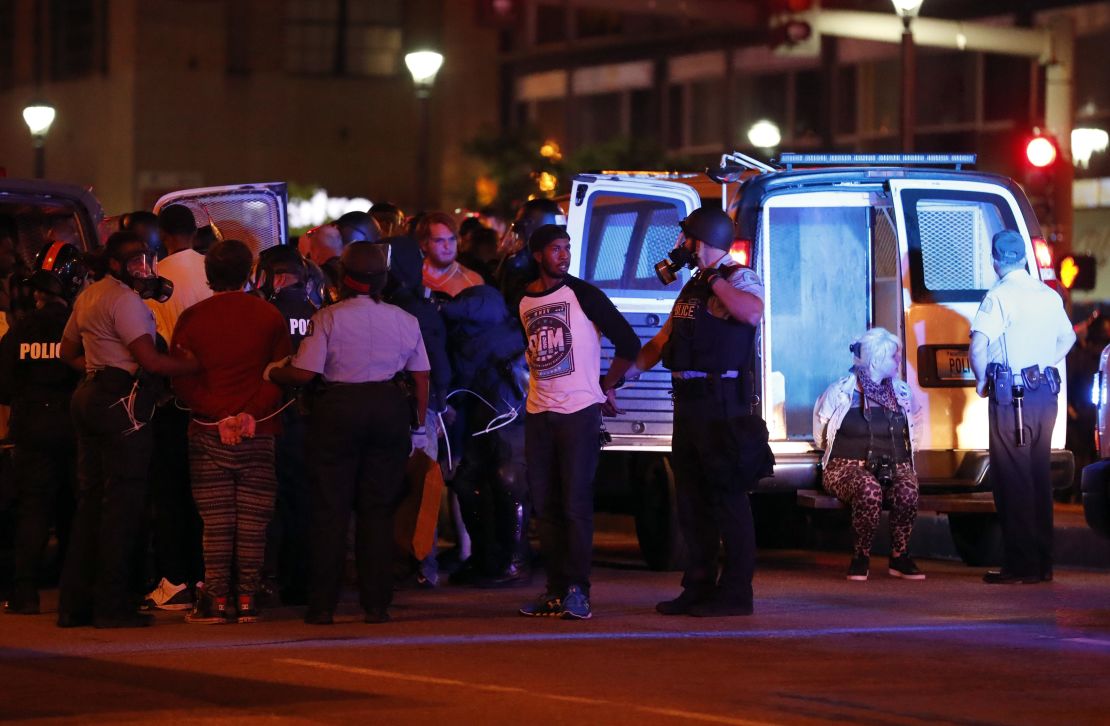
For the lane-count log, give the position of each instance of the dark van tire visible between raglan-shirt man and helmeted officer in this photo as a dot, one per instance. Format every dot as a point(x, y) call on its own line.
point(661, 540)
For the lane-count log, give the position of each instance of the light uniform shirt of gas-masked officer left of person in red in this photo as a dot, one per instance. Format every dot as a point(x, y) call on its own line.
point(107, 318)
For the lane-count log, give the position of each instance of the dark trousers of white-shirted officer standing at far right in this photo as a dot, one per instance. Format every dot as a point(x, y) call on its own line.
point(1021, 477)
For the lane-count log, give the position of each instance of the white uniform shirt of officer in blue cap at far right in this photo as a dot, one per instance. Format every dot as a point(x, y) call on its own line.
point(1030, 315)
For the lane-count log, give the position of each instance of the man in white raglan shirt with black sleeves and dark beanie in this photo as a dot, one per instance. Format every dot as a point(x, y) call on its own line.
point(564, 319)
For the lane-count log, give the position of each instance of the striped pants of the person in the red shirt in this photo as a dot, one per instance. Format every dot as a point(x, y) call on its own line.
point(235, 489)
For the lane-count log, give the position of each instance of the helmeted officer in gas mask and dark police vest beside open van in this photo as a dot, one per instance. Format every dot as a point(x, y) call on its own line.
point(720, 447)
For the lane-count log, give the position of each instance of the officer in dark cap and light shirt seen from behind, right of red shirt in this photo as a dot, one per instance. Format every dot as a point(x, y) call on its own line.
point(361, 430)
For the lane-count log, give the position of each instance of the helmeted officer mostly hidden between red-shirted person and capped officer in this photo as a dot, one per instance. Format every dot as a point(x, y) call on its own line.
point(281, 277)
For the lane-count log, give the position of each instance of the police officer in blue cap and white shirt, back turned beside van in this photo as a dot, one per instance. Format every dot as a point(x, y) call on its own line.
point(1018, 337)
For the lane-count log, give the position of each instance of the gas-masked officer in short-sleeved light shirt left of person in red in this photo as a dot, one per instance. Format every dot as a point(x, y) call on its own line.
point(110, 339)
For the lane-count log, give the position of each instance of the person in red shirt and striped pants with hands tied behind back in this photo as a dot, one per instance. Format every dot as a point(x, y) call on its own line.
point(231, 437)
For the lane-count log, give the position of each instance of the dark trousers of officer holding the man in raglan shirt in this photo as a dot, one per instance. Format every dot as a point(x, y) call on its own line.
point(714, 509)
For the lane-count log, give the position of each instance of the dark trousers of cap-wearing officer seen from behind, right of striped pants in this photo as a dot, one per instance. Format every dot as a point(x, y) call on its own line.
point(359, 445)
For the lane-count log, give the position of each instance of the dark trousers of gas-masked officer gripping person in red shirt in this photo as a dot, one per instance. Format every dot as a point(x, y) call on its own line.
point(113, 465)
